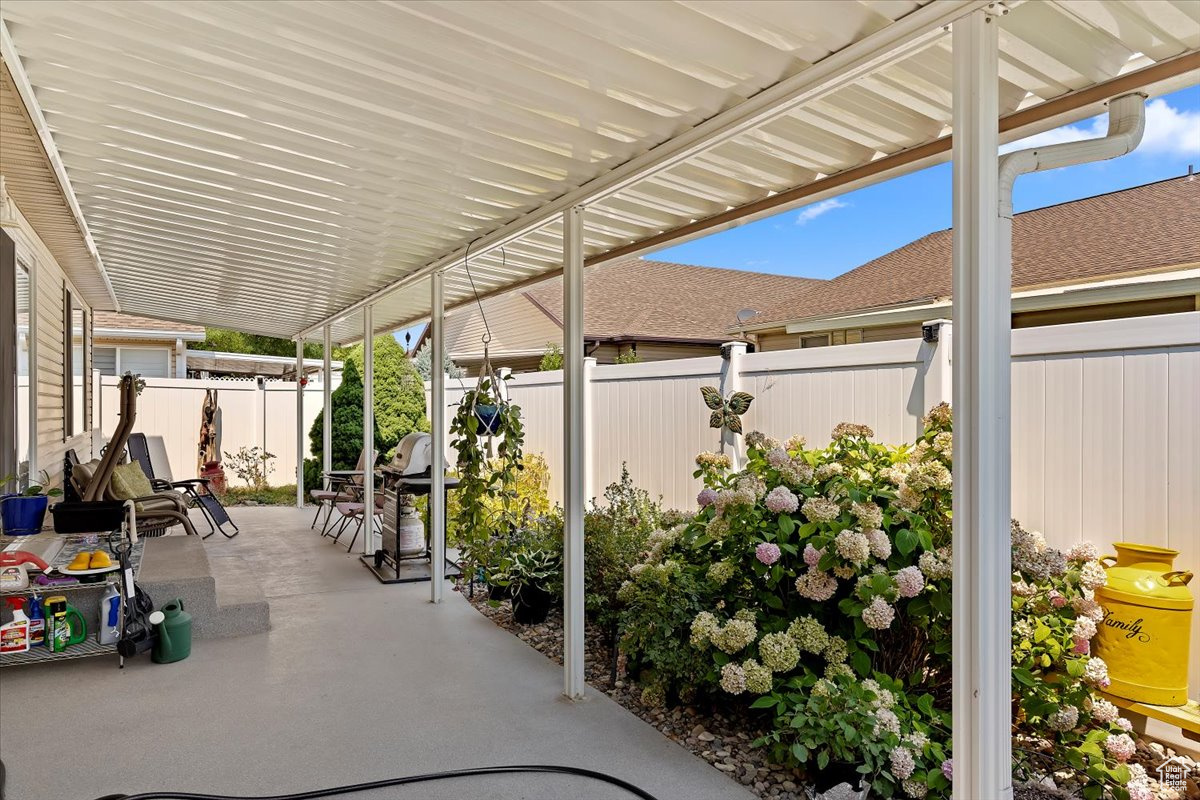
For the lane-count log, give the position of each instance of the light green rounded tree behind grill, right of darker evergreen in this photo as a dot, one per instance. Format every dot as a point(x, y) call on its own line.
point(399, 392)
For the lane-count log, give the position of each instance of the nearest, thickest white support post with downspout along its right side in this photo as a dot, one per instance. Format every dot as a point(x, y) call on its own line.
point(982, 617)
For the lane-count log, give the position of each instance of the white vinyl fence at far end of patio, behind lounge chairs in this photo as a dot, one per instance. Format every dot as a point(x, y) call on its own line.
point(248, 416)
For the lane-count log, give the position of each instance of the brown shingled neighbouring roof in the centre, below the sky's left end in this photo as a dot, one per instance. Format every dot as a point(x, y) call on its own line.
point(644, 299)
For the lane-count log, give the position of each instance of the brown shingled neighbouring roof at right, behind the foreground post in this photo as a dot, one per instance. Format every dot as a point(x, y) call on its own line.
point(1143, 230)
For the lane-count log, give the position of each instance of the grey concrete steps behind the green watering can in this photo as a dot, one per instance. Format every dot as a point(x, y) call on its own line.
point(223, 594)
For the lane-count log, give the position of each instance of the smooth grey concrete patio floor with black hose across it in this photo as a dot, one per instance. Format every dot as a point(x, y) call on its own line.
point(356, 682)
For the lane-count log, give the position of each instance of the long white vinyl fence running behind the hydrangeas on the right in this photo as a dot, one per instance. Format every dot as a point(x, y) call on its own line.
point(1106, 422)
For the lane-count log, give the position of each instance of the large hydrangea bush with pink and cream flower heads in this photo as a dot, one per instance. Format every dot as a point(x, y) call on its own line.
point(814, 586)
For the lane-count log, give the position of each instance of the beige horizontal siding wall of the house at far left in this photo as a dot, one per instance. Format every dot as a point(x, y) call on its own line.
point(51, 324)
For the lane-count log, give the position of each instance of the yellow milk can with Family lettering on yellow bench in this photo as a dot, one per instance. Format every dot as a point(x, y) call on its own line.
point(1148, 621)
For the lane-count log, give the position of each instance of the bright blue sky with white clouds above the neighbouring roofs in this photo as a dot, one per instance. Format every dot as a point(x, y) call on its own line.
point(833, 237)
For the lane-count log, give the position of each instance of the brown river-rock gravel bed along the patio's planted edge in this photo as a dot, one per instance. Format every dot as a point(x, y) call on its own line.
point(724, 741)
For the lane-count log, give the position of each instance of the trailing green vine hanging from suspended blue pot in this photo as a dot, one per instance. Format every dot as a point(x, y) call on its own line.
point(485, 419)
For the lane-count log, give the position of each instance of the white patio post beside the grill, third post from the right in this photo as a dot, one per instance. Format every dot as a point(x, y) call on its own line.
point(439, 436)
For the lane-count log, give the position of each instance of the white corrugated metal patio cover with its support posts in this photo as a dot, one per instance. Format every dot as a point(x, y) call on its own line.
point(323, 171)
